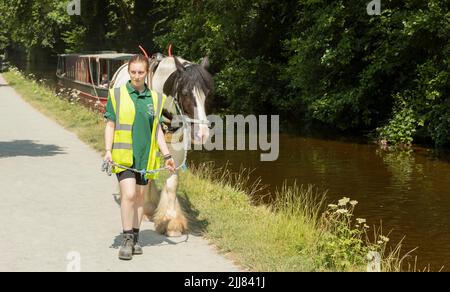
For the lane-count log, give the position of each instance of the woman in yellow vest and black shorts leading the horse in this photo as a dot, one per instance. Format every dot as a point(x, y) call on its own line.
point(133, 137)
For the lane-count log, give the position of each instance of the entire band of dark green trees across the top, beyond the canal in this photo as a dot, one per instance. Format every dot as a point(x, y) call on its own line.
point(318, 62)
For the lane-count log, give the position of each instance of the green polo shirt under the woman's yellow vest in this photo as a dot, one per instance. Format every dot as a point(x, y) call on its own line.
point(142, 127)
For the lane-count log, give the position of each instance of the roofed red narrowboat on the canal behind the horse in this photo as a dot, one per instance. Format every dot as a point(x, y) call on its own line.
point(90, 75)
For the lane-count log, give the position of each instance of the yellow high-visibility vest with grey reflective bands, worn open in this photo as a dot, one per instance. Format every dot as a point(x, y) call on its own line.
point(122, 152)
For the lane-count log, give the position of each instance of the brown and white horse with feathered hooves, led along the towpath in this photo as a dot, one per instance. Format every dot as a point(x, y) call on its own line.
point(187, 86)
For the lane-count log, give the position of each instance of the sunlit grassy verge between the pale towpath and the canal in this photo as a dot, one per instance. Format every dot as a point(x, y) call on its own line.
point(257, 238)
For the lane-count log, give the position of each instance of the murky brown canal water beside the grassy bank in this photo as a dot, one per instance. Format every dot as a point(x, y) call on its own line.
point(408, 192)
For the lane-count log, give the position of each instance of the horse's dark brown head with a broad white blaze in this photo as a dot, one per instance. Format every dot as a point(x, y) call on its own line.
point(192, 86)
